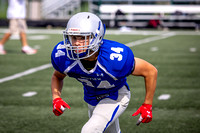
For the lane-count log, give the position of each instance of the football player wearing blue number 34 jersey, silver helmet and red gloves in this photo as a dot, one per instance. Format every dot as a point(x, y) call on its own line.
point(102, 67)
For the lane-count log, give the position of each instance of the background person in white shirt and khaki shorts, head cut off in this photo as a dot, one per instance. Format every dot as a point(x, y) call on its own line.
point(16, 14)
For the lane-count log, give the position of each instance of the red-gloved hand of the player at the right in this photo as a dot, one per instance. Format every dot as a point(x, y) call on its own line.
point(146, 113)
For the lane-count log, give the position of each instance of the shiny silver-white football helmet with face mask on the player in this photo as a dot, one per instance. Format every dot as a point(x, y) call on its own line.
point(86, 25)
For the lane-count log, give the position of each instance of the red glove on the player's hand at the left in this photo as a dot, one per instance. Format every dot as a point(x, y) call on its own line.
point(59, 106)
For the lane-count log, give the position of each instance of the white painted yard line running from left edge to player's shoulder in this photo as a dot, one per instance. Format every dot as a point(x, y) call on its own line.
point(27, 72)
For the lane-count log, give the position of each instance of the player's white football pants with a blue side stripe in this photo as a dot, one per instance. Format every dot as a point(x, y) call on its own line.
point(104, 117)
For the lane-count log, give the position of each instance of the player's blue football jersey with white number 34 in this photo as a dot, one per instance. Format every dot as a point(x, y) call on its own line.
point(114, 63)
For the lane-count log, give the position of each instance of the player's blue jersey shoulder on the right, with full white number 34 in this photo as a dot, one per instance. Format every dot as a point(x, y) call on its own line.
point(117, 58)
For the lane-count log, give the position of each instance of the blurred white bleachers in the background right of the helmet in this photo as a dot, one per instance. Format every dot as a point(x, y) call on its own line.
point(138, 13)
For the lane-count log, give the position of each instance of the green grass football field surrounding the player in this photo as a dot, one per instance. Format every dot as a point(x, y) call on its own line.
point(177, 59)
